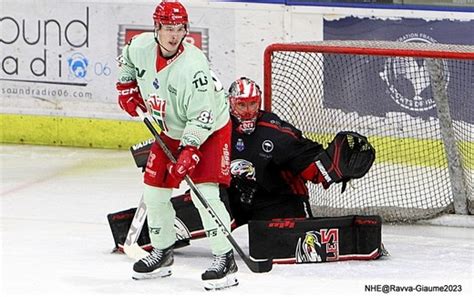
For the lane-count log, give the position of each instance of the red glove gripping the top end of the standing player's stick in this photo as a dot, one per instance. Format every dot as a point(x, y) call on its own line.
point(129, 97)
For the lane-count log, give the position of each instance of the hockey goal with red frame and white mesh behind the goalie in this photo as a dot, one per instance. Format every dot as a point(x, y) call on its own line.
point(414, 101)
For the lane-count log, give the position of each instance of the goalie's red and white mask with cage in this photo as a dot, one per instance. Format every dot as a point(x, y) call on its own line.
point(245, 100)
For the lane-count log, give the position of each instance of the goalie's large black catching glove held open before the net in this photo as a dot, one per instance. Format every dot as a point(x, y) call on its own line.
point(348, 156)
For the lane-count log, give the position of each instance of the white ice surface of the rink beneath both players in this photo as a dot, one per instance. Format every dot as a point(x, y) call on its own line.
point(55, 240)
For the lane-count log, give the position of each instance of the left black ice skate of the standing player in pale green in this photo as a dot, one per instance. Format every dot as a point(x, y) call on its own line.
point(156, 264)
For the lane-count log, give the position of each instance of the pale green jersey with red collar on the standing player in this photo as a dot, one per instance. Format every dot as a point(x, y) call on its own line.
point(178, 92)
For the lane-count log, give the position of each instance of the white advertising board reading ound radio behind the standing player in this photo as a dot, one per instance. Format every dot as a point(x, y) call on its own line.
point(61, 59)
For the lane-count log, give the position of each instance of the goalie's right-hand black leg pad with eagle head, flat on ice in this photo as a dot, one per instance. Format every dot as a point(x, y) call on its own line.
point(312, 240)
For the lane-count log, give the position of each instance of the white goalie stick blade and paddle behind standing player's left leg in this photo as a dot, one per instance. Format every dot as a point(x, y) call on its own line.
point(131, 247)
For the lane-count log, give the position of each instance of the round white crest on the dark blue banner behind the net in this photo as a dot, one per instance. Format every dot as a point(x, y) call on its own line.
point(408, 79)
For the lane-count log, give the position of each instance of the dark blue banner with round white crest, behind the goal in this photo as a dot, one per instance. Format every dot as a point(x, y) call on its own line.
point(396, 84)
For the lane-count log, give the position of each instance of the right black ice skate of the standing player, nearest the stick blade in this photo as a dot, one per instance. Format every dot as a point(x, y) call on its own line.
point(221, 274)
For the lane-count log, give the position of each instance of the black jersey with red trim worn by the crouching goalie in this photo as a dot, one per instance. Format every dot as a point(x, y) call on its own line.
point(266, 166)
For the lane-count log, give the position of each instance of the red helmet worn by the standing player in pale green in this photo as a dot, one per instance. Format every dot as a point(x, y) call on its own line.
point(170, 13)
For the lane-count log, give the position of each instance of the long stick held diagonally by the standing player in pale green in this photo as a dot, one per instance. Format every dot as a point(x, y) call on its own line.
point(255, 266)
